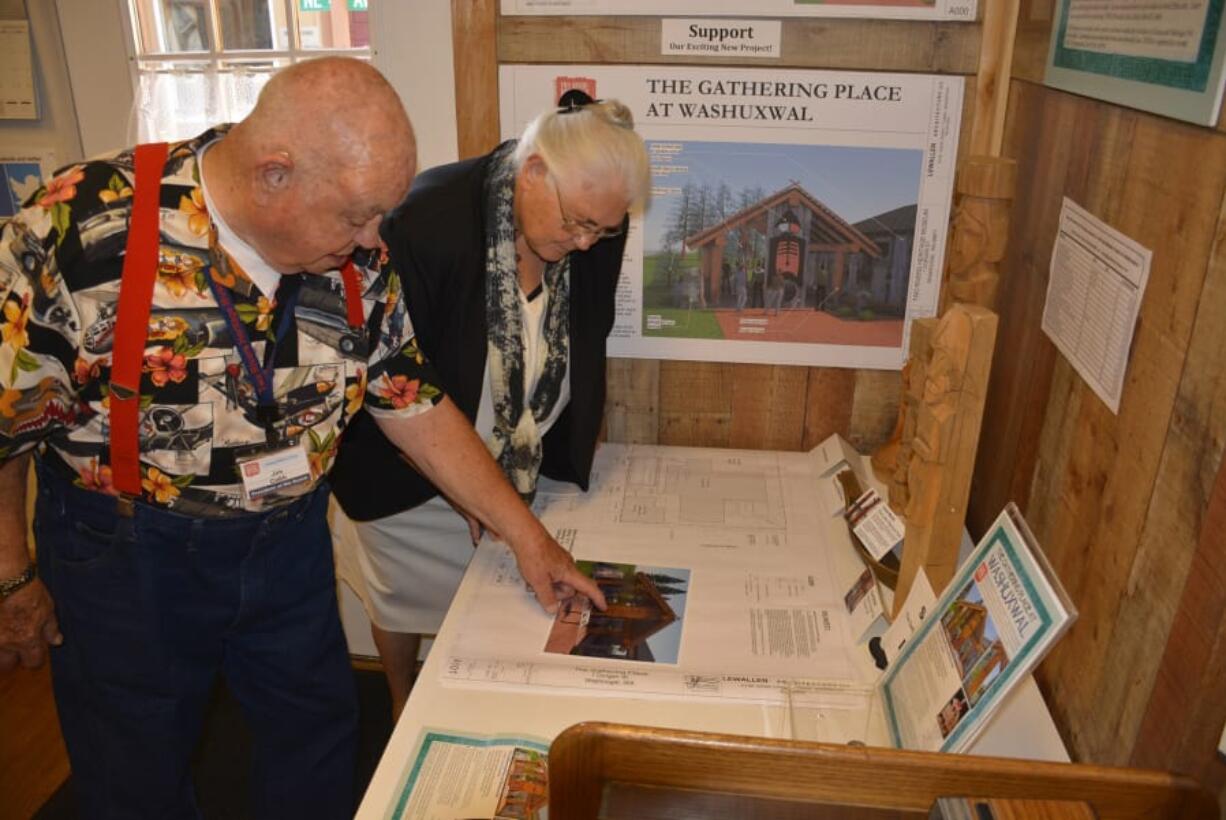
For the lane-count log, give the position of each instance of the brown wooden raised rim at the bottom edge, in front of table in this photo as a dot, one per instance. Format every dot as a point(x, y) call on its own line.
point(588, 757)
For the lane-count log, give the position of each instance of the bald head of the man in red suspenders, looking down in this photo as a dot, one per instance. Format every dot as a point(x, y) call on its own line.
point(328, 148)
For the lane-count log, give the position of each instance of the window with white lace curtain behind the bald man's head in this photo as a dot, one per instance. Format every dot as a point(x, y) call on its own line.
point(199, 63)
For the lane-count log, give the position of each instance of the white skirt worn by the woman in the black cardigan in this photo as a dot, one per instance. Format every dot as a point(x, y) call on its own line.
point(405, 568)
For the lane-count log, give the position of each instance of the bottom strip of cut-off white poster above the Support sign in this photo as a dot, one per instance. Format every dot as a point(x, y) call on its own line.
point(963, 10)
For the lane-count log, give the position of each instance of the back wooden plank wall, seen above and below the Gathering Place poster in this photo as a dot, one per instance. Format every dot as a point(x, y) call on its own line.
point(712, 404)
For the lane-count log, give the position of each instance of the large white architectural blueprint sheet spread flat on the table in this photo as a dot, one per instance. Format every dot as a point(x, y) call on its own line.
point(725, 580)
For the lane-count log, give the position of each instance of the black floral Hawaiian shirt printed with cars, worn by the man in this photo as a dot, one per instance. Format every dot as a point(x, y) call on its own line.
point(61, 262)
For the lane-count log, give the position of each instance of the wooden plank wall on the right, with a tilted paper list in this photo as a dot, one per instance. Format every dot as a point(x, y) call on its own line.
point(1131, 508)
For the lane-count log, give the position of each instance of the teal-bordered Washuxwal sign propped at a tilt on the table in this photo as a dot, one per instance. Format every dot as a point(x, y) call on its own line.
point(991, 627)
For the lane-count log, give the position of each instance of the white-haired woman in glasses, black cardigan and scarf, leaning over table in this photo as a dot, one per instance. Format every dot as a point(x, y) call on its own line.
point(509, 265)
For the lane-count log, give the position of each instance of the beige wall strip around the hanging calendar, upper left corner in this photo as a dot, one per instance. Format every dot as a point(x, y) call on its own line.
point(56, 132)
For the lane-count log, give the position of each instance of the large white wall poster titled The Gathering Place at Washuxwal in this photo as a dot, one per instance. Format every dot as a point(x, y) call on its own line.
point(796, 218)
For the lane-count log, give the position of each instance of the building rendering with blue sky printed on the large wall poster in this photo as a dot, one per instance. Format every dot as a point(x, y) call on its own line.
point(780, 243)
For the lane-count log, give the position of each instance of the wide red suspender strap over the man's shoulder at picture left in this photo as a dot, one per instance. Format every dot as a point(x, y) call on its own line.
point(133, 318)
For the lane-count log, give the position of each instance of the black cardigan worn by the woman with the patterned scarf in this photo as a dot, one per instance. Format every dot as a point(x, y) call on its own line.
point(437, 240)
